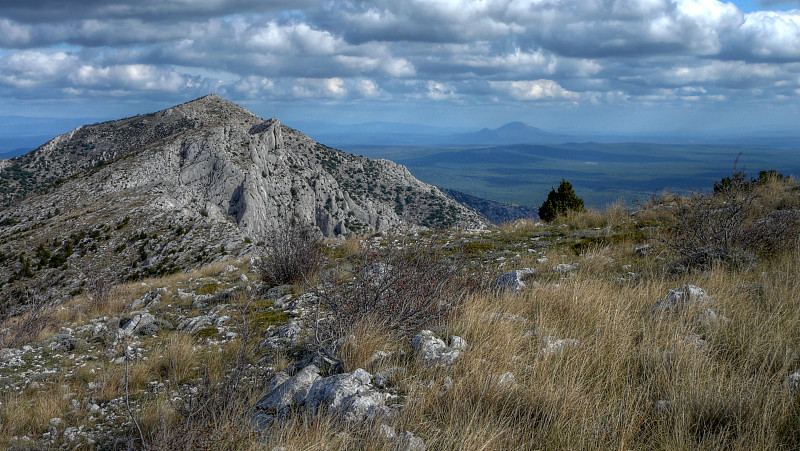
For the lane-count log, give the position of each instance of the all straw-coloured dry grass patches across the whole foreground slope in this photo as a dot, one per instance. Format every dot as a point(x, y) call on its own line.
point(601, 394)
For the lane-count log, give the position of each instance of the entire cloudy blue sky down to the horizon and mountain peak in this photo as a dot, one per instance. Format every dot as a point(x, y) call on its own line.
point(616, 66)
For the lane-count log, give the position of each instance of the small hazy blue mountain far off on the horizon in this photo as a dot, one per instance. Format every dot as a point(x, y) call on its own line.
point(511, 133)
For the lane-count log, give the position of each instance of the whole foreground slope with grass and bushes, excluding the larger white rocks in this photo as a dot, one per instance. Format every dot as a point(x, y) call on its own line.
point(577, 358)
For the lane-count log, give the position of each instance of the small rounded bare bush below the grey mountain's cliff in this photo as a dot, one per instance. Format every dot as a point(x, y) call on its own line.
point(293, 253)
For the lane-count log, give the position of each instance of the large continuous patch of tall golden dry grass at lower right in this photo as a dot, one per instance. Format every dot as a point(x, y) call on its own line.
point(602, 394)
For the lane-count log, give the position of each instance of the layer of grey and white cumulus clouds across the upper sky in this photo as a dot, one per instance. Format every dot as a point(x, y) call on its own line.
point(593, 51)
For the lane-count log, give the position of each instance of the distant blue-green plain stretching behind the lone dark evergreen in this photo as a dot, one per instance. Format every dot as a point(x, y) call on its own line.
point(602, 173)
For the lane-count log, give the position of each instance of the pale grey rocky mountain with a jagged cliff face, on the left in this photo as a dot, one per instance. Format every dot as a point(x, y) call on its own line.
point(167, 191)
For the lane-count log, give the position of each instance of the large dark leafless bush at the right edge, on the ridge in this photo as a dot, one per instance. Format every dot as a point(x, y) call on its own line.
point(730, 226)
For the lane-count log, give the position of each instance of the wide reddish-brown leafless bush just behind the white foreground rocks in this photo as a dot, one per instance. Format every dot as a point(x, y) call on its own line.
point(397, 289)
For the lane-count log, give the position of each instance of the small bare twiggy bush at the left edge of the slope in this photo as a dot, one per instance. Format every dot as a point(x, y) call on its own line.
point(35, 315)
